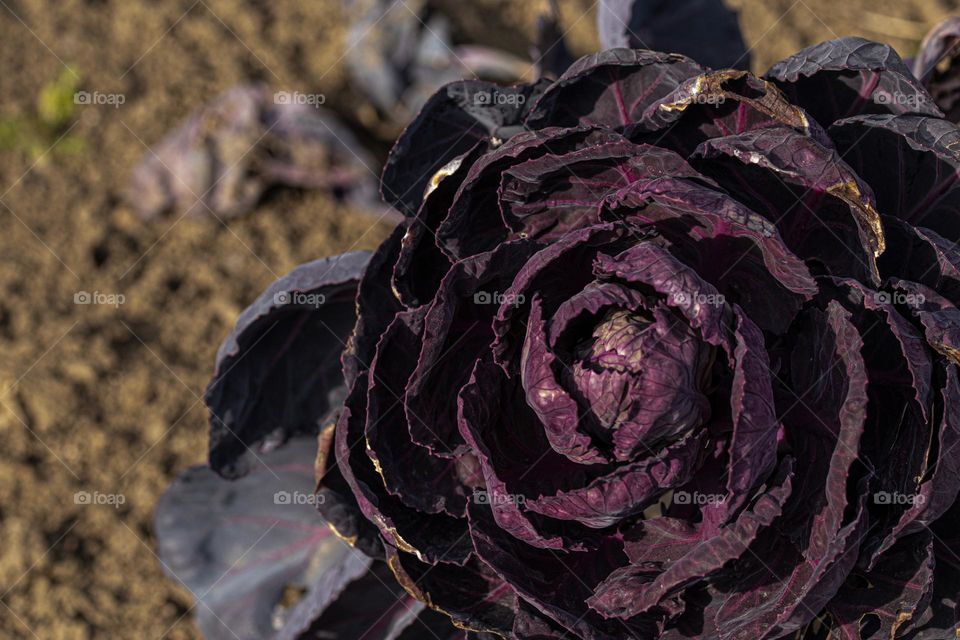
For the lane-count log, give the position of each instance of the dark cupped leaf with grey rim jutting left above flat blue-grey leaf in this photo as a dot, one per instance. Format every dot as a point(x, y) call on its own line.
point(278, 372)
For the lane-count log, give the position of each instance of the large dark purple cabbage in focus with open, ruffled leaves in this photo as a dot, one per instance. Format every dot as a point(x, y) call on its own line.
point(658, 351)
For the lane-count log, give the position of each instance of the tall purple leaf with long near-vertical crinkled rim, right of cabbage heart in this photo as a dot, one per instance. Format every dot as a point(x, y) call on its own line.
point(810, 563)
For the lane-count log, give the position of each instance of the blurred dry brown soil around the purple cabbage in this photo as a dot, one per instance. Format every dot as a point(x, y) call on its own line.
point(102, 399)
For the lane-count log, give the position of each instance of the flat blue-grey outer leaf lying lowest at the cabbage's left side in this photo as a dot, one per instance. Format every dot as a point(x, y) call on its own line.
point(237, 545)
